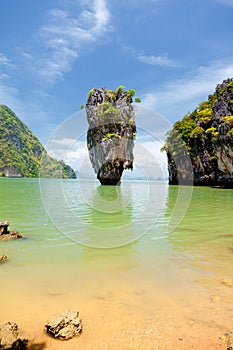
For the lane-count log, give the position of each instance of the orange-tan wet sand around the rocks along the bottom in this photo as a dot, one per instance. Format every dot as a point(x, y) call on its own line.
point(128, 316)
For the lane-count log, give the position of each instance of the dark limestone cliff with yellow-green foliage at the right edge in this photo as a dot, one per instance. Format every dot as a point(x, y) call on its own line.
point(207, 135)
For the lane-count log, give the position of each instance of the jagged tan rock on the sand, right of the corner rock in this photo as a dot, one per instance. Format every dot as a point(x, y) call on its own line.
point(65, 326)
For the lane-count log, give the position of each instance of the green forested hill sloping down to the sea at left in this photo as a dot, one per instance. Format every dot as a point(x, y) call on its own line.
point(21, 153)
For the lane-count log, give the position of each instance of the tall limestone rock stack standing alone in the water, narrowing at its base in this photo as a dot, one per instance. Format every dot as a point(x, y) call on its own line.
point(111, 133)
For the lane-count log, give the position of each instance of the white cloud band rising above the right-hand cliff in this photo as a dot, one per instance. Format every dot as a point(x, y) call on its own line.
point(186, 92)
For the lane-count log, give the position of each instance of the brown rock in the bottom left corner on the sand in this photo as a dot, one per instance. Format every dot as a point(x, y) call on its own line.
point(10, 338)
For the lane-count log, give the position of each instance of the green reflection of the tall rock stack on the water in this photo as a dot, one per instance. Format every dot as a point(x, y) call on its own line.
point(108, 218)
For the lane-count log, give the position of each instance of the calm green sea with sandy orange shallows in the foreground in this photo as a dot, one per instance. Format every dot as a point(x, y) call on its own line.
point(139, 249)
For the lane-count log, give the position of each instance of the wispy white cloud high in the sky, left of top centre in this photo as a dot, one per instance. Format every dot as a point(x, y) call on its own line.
point(66, 35)
